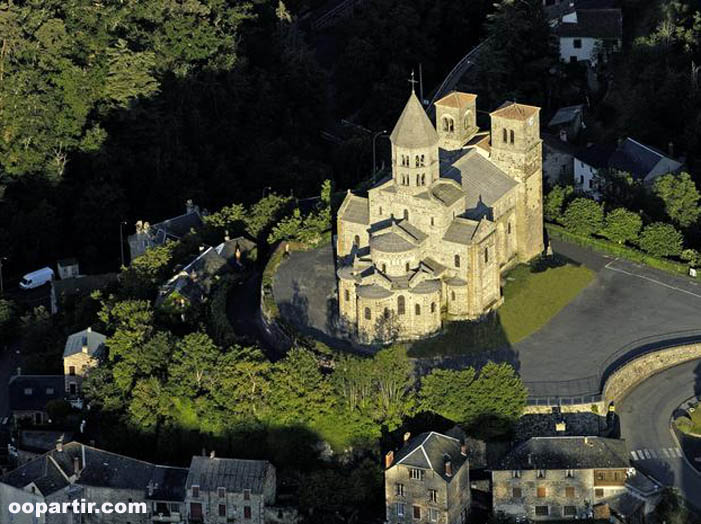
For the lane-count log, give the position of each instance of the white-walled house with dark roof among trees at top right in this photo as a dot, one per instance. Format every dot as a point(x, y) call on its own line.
point(589, 34)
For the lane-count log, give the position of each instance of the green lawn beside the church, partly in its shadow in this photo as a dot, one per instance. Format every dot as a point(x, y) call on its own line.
point(531, 298)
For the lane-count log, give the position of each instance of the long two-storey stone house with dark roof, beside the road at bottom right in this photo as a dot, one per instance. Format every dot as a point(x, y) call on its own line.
point(561, 477)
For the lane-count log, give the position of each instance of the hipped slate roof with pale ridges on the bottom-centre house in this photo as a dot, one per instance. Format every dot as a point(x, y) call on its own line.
point(429, 451)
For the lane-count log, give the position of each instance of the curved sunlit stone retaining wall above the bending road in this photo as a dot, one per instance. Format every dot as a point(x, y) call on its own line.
point(628, 376)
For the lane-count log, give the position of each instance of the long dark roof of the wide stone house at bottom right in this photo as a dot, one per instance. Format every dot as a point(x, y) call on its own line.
point(567, 453)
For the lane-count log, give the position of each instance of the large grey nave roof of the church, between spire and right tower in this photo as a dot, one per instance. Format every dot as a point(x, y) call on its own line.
point(481, 180)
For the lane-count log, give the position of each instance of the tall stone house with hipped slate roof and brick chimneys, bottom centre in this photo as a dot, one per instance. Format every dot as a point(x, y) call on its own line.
point(428, 480)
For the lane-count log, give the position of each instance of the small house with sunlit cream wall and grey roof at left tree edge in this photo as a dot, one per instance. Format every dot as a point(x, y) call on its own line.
point(81, 353)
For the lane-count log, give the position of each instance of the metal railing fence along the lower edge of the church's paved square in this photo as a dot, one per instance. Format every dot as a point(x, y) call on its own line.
point(589, 389)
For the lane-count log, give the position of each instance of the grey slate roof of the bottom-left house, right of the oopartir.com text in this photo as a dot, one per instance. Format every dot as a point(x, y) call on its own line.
point(233, 474)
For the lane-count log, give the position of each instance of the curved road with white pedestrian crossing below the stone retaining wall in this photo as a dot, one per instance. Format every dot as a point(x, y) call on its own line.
point(645, 414)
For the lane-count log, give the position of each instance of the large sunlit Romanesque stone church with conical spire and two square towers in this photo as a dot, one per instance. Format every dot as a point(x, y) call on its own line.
point(431, 242)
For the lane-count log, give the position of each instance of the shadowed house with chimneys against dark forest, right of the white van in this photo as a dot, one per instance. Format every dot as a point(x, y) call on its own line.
point(151, 235)
